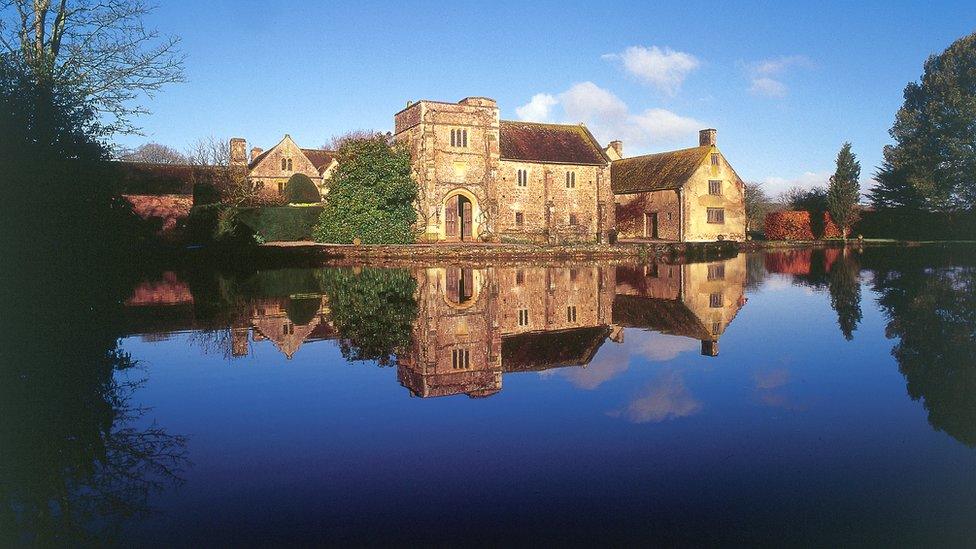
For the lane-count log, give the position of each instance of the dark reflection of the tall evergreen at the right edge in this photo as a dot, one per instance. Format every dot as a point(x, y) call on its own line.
point(931, 309)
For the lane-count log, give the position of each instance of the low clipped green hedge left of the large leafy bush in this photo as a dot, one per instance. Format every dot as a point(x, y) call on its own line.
point(218, 223)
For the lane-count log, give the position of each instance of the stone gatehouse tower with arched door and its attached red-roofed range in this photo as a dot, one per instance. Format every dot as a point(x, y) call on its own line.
point(482, 178)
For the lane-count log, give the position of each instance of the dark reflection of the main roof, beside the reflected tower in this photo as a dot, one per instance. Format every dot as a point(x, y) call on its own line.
point(535, 351)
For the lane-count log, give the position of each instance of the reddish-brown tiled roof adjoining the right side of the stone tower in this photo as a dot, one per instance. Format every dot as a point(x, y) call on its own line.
point(562, 143)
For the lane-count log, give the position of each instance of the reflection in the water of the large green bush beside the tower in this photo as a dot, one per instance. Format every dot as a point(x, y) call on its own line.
point(372, 309)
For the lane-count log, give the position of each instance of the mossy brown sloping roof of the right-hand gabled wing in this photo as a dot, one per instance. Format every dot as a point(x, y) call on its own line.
point(656, 172)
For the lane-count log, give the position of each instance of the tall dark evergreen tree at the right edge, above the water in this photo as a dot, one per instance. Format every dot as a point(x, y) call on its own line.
point(932, 162)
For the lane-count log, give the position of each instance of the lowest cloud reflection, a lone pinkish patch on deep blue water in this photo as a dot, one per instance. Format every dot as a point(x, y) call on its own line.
point(667, 397)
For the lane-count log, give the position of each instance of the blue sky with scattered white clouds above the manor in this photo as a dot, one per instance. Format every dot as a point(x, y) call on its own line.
point(784, 85)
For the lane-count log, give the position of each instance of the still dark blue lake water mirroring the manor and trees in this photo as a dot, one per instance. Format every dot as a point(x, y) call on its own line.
point(790, 398)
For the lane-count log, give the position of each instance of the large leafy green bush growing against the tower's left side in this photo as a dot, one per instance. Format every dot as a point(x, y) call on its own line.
point(371, 195)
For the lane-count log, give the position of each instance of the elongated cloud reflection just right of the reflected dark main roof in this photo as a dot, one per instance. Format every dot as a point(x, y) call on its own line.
point(614, 360)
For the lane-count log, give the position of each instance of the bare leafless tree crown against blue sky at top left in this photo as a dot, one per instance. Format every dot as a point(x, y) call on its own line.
point(98, 49)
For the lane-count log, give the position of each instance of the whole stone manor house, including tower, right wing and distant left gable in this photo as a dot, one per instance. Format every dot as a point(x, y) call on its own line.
point(483, 178)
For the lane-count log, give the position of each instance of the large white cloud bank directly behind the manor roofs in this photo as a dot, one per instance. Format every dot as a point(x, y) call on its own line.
point(608, 117)
